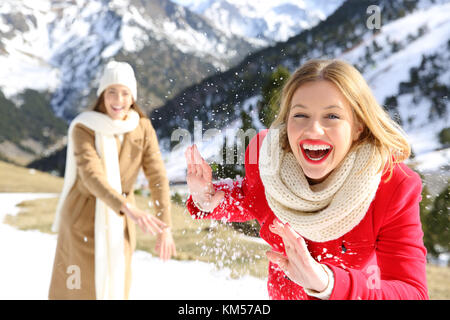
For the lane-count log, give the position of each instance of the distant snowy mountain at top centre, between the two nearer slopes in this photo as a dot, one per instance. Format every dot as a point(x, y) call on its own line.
point(263, 21)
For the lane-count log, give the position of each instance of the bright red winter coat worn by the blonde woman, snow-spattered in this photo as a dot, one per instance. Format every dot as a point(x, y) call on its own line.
point(383, 257)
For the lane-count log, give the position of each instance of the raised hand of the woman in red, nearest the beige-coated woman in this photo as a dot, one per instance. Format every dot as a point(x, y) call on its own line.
point(199, 180)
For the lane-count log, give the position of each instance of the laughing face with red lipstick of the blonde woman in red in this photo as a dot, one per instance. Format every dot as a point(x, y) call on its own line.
point(320, 118)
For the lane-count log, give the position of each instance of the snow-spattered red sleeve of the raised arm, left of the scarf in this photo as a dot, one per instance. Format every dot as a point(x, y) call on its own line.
point(241, 195)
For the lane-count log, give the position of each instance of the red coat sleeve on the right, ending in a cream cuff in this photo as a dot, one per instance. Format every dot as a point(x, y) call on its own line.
point(401, 254)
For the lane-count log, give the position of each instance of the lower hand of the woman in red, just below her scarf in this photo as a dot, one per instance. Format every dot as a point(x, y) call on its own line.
point(298, 264)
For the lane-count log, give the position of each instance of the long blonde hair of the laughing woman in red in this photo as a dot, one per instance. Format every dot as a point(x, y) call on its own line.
point(380, 130)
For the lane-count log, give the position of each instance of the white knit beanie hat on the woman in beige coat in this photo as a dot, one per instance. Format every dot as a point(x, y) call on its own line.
point(118, 73)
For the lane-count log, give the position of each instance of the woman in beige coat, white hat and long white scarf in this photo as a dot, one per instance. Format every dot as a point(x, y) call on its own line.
point(74, 272)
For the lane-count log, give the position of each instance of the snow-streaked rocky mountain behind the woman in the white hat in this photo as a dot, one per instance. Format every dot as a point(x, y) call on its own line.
point(61, 46)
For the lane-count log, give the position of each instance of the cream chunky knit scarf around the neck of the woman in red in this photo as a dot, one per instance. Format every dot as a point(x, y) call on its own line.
point(324, 211)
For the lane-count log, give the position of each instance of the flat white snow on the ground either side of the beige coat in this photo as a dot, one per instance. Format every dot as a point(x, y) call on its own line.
point(27, 261)
